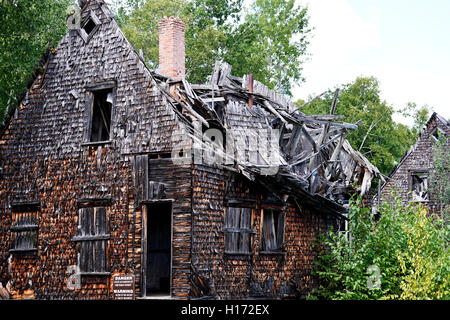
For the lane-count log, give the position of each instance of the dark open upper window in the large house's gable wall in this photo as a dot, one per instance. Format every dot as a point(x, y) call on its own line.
point(101, 115)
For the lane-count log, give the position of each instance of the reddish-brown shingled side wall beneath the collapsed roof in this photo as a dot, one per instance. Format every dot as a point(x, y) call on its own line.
point(257, 274)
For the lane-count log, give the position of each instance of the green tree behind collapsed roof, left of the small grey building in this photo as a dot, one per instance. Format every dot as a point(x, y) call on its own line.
point(382, 140)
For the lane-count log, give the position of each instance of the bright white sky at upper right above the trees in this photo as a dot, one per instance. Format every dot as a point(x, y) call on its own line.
point(405, 44)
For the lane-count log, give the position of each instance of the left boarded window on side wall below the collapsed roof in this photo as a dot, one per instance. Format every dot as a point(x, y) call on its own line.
point(237, 230)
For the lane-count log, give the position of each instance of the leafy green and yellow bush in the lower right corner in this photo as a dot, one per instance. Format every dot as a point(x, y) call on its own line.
point(407, 247)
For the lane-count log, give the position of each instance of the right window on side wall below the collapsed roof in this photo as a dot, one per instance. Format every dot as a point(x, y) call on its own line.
point(272, 230)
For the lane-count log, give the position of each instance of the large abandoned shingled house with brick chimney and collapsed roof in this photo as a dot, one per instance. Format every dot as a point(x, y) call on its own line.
point(193, 190)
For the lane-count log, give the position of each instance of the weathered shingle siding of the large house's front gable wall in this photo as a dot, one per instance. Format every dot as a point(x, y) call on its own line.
point(42, 158)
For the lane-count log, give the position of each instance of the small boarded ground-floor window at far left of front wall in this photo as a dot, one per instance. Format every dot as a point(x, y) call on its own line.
point(24, 231)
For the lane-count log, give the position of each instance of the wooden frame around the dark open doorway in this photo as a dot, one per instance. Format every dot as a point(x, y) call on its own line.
point(145, 210)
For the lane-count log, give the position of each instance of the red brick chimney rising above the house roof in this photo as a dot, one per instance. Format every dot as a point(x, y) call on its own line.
point(171, 47)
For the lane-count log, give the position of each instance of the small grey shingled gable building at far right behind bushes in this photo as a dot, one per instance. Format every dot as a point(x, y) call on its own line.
point(410, 178)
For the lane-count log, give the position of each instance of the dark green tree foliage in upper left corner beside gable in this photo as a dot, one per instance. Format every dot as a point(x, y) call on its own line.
point(27, 28)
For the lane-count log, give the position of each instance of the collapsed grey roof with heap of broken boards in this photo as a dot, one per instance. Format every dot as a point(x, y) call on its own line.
point(312, 161)
